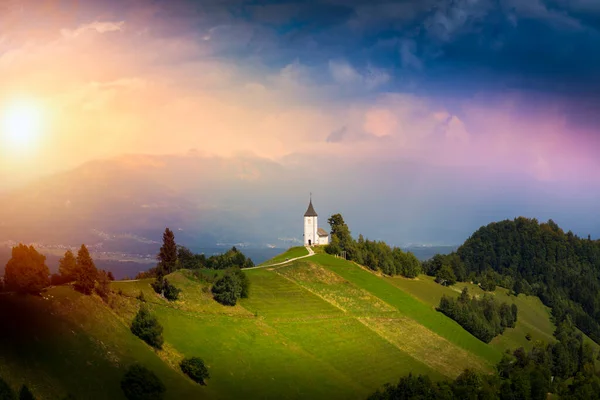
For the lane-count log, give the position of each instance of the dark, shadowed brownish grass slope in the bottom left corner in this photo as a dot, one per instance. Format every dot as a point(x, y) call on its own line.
point(67, 343)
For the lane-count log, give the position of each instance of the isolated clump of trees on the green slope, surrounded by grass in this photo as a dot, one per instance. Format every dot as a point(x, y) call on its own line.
point(484, 318)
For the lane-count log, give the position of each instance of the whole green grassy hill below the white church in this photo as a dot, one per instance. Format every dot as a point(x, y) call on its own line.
point(319, 327)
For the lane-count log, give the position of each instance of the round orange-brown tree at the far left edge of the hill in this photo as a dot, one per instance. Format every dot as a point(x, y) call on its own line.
point(26, 271)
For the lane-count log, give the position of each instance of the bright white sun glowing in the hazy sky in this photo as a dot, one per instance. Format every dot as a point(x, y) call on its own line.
point(20, 127)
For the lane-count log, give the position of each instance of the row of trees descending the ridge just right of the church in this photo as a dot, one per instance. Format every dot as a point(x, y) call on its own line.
point(376, 255)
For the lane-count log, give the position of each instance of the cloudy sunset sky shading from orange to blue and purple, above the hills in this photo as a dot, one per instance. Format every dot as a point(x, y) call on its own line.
point(492, 106)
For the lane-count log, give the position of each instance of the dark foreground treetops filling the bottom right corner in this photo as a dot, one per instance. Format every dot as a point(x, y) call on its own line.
point(566, 368)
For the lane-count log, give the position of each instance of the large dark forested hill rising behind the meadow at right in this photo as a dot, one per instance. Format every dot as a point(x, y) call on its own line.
point(533, 258)
